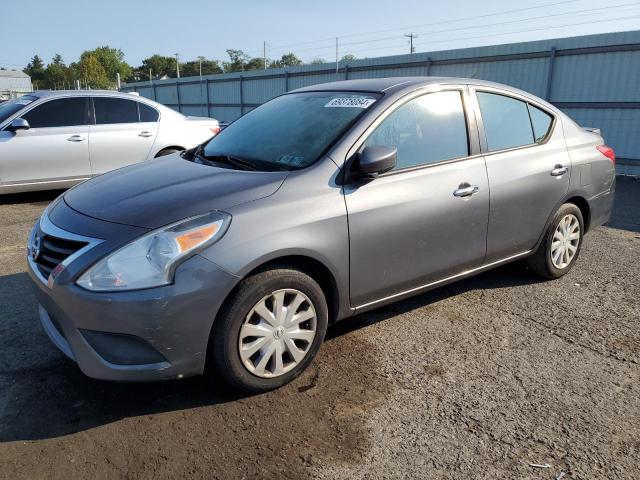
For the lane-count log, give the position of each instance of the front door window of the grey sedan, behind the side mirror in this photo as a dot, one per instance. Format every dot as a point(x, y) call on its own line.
point(427, 129)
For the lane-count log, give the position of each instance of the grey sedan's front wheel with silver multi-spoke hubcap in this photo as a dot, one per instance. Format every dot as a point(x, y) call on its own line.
point(233, 341)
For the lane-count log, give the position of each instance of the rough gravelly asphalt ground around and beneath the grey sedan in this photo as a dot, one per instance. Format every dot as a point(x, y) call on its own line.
point(479, 379)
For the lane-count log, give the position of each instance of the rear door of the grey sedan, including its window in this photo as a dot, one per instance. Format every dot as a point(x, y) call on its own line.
point(528, 168)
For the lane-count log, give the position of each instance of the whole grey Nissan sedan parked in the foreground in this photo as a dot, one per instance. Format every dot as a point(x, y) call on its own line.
point(324, 202)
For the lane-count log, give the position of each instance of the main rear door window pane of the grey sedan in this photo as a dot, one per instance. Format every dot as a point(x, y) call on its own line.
point(506, 121)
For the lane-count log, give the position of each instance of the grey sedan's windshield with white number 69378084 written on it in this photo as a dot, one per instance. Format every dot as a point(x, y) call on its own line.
point(289, 132)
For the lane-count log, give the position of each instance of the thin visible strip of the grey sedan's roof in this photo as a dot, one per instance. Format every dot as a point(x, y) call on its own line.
point(380, 85)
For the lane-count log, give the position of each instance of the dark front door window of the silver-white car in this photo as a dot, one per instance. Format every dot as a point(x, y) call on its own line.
point(61, 112)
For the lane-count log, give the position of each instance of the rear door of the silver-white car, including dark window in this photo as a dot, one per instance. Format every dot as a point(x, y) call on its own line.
point(119, 137)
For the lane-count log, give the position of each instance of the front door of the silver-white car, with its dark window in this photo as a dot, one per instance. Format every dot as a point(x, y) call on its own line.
point(54, 149)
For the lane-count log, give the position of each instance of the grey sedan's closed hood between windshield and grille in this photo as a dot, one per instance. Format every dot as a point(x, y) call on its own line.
point(161, 191)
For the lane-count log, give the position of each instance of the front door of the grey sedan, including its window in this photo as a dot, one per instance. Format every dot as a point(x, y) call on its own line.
point(426, 219)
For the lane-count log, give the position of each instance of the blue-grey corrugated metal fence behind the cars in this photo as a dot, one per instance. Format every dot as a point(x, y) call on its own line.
point(594, 78)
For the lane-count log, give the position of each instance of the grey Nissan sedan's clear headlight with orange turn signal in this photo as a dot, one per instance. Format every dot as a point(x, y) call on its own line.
point(151, 260)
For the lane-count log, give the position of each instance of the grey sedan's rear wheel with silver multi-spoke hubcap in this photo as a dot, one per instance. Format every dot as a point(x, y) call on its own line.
point(548, 261)
